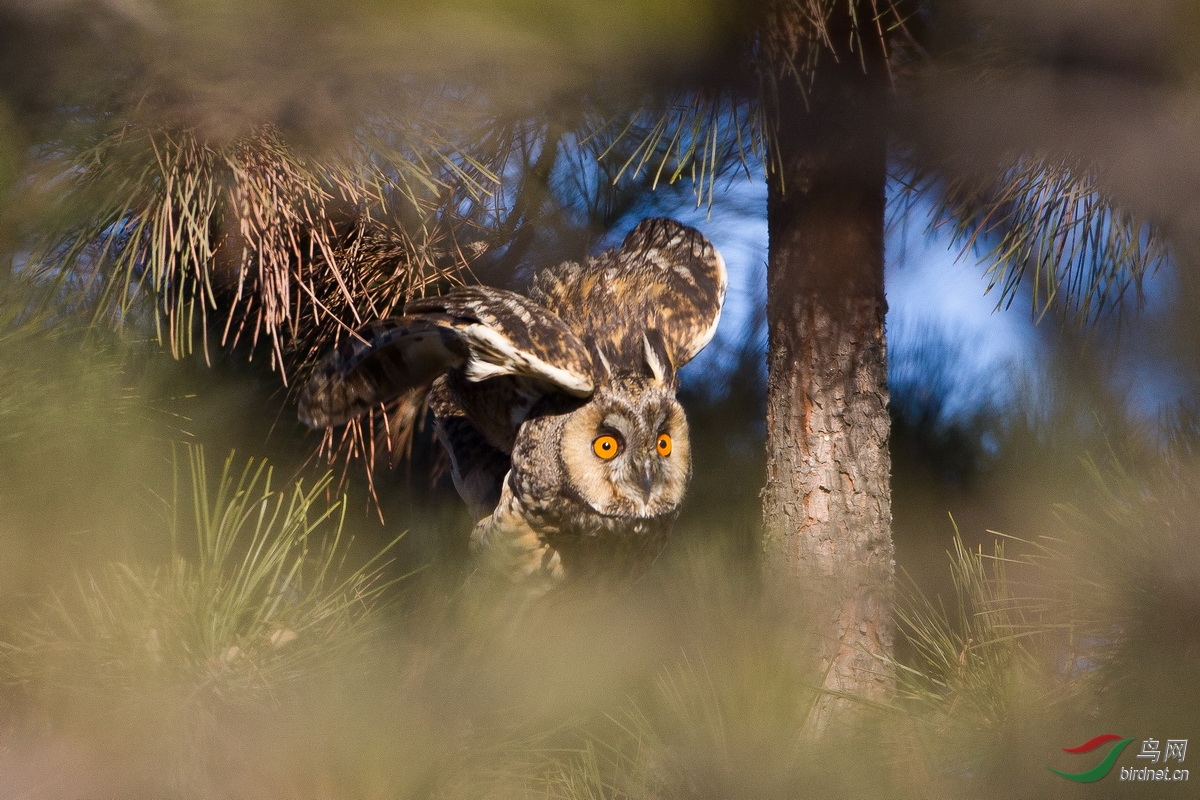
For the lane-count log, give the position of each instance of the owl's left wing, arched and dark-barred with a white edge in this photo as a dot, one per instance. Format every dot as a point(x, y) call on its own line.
point(481, 332)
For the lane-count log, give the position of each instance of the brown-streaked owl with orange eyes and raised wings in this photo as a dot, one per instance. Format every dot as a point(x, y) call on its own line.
point(557, 407)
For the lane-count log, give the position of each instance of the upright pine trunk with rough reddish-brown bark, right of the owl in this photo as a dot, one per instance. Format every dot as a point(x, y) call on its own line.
point(827, 504)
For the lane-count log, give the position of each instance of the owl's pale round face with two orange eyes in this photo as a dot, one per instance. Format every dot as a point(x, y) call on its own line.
point(626, 453)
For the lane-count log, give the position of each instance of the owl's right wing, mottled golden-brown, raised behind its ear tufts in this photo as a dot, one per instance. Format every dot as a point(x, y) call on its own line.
point(665, 278)
